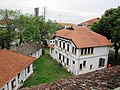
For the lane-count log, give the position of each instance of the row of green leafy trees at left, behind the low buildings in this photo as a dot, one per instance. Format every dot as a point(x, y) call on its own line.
point(18, 27)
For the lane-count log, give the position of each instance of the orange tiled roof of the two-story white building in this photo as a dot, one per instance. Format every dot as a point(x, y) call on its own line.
point(83, 37)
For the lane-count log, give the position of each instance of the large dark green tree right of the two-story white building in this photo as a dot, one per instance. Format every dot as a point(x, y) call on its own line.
point(109, 26)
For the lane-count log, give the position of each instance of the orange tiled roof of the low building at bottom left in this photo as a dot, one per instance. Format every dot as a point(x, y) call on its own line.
point(12, 63)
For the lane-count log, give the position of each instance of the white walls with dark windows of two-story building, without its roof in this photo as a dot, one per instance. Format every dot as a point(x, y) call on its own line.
point(79, 60)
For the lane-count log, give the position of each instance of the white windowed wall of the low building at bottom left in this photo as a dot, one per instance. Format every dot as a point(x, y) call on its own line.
point(19, 79)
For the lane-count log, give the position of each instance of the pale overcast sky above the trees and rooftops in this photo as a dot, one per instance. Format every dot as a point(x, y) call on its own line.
point(72, 11)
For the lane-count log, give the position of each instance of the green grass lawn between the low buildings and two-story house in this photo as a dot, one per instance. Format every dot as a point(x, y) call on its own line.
point(46, 70)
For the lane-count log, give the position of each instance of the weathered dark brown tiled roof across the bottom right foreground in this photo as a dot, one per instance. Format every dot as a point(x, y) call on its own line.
point(103, 79)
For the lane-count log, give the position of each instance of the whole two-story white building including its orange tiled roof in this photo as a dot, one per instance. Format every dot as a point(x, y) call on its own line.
point(80, 50)
